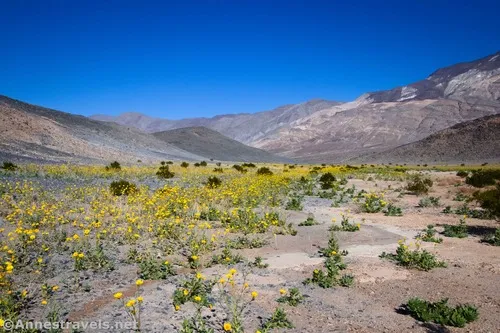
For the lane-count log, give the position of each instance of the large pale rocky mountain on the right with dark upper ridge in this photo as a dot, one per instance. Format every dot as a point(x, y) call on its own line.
point(381, 120)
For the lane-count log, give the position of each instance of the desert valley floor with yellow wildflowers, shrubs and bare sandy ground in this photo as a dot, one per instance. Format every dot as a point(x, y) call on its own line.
point(211, 247)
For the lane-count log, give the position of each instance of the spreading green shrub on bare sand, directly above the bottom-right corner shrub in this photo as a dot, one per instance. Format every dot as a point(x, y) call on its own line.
point(418, 259)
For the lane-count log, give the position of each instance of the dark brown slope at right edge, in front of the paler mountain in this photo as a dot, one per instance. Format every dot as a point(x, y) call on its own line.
point(477, 140)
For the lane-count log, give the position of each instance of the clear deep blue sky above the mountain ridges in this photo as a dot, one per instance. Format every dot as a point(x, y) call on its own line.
point(178, 59)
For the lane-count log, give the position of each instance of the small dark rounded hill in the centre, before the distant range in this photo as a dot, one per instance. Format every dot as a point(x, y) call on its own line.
point(206, 142)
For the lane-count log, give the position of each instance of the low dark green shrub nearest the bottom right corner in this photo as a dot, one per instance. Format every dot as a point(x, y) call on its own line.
point(441, 313)
